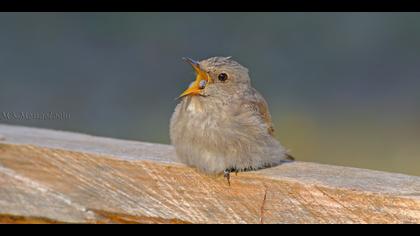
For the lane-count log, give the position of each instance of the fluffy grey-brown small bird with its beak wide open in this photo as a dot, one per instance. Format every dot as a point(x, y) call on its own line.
point(222, 124)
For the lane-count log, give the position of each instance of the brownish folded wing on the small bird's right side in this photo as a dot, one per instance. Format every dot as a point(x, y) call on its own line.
point(257, 104)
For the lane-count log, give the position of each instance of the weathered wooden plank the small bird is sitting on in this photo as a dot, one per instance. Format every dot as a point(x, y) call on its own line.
point(52, 177)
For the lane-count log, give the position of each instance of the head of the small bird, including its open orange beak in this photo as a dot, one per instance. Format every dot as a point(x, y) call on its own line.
point(216, 75)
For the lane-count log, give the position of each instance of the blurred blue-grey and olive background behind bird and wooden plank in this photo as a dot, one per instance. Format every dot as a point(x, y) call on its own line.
point(343, 88)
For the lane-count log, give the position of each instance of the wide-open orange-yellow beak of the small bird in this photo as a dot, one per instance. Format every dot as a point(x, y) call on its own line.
point(201, 79)
